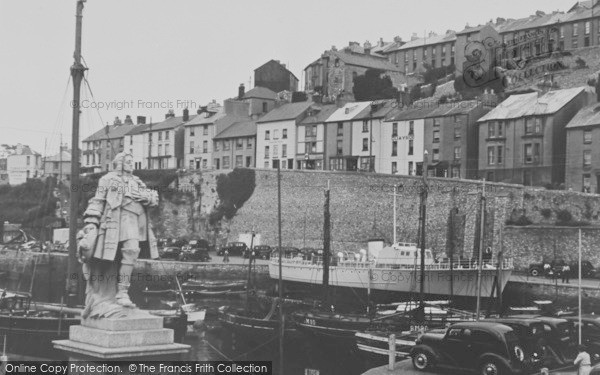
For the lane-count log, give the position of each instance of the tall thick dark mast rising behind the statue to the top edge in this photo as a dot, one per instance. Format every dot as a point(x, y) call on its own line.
point(77, 70)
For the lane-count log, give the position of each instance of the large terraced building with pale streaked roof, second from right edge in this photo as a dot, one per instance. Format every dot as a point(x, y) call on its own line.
point(523, 139)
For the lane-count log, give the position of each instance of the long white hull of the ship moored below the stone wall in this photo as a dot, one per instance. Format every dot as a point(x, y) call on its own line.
point(458, 282)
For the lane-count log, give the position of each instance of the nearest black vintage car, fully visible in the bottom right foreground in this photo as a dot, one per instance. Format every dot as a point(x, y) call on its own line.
point(484, 347)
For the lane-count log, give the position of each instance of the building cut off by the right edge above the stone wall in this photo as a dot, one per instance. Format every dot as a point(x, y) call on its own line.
point(583, 151)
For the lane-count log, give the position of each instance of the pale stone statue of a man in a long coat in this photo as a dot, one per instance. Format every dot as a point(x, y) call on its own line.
point(118, 213)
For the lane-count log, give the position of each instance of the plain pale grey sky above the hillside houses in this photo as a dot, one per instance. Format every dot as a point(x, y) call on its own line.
point(188, 51)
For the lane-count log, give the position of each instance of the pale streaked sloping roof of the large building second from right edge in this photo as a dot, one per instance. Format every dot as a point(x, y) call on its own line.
point(529, 104)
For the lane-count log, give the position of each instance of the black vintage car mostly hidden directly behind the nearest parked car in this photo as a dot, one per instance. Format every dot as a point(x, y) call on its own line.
point(532, 336)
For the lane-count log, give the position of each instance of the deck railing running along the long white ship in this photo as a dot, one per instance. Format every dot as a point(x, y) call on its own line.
point(506, 264)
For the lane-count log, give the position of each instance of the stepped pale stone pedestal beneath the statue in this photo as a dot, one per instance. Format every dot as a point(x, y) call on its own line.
point(136, 338)
